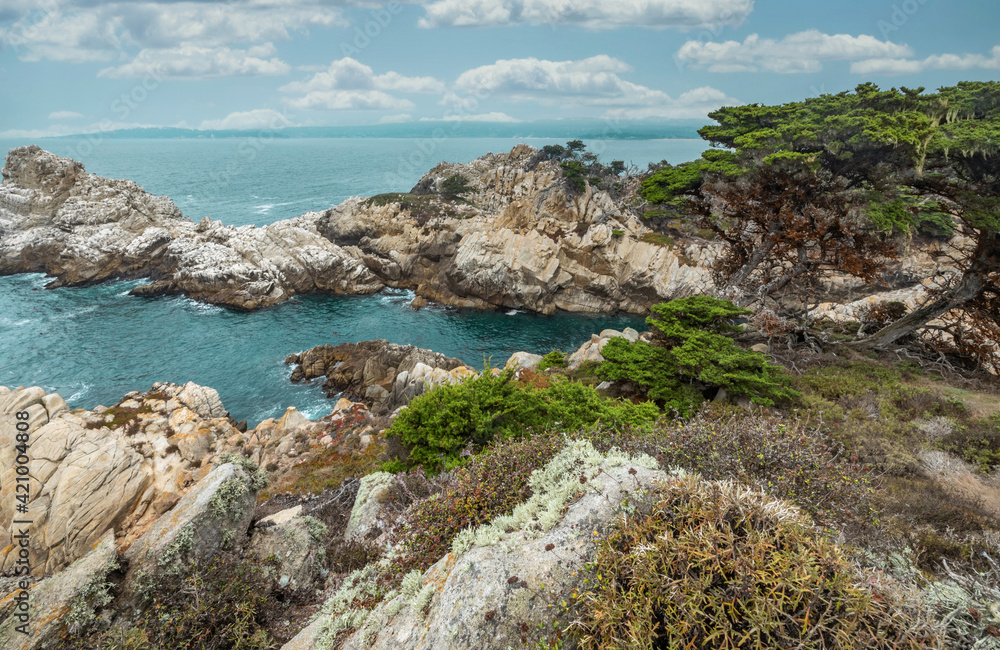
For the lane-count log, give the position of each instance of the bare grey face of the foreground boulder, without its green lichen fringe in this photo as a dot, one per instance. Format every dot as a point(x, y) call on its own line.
point(504, 577)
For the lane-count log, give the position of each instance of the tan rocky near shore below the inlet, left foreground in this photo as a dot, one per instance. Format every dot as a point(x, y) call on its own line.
point(135, 480)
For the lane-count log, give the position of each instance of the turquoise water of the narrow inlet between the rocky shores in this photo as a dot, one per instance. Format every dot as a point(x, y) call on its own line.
point(93, 345)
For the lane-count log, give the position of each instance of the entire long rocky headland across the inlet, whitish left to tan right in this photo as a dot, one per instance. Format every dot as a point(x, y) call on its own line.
point(522, 240)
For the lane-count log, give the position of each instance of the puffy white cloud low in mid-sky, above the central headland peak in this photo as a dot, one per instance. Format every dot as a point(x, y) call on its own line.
point(594, 81)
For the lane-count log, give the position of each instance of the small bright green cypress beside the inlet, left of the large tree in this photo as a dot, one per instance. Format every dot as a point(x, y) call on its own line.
point(691, 355)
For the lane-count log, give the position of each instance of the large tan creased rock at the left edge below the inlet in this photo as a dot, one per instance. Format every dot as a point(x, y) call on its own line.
point(93, 473)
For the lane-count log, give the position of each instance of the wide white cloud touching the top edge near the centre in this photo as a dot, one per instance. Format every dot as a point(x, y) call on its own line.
point(594, 14)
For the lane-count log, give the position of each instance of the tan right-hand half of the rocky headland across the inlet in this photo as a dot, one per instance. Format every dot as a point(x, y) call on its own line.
point(526, 242)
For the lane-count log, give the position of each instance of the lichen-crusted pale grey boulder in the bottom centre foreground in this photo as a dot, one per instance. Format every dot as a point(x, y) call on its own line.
point(500, 578)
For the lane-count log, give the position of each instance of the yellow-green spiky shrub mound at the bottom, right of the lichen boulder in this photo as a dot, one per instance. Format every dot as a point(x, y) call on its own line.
point(713, 565)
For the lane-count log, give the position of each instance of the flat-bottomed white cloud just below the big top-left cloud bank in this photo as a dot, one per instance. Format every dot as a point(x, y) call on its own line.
point(192, 62)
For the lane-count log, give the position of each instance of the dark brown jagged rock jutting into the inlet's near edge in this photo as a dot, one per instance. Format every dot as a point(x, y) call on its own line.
point(383, 375)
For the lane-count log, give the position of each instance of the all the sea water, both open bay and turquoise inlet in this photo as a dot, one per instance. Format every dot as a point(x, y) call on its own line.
point(95, 344)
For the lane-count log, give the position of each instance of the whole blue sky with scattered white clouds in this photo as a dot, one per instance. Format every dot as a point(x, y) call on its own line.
point(71, 66)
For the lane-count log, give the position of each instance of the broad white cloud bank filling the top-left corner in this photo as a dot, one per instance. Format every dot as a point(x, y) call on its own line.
point(92, 31)
